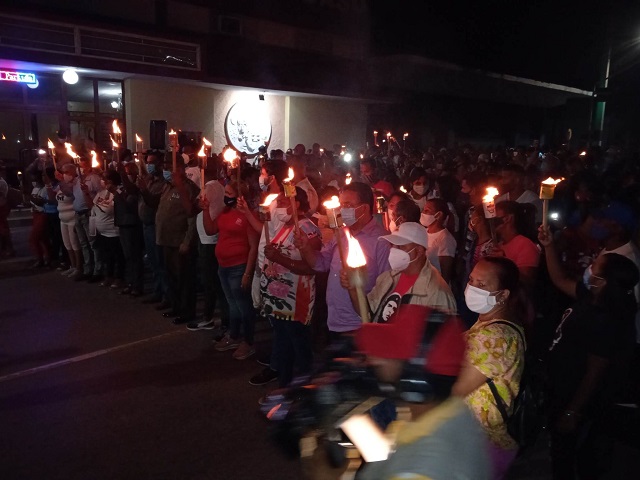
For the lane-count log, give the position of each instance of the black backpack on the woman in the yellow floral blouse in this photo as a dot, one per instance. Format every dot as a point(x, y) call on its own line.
point(528, 417)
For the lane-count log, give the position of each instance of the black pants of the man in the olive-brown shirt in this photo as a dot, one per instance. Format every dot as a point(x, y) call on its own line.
point(180, 271)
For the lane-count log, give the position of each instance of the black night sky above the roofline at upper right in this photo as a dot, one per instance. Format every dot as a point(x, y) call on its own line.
point(561, 41)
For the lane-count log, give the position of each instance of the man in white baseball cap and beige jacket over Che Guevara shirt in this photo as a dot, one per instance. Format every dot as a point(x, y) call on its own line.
point(411, 280)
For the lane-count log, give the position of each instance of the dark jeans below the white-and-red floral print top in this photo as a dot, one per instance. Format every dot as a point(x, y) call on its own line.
point(293, 345)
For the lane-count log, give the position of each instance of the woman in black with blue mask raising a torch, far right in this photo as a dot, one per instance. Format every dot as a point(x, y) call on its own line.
point(589, 360)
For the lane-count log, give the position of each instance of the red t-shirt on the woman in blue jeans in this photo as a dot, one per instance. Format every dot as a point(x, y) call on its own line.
point(233, 238)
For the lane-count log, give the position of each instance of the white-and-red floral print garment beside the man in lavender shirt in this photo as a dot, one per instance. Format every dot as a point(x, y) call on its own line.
point(286, 295)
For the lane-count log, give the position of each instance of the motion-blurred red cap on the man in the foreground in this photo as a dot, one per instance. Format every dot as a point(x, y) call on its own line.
point(402, 337)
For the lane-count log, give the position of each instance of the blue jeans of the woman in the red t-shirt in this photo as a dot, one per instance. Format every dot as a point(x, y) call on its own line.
point(241, 313)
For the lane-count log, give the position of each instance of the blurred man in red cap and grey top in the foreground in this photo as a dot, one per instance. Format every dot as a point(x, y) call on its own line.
point(420, 353)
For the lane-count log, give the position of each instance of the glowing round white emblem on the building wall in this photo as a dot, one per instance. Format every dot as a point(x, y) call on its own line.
point(248, 126)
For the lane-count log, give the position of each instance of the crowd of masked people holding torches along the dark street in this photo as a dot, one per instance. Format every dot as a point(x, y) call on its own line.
point(566, 290)
